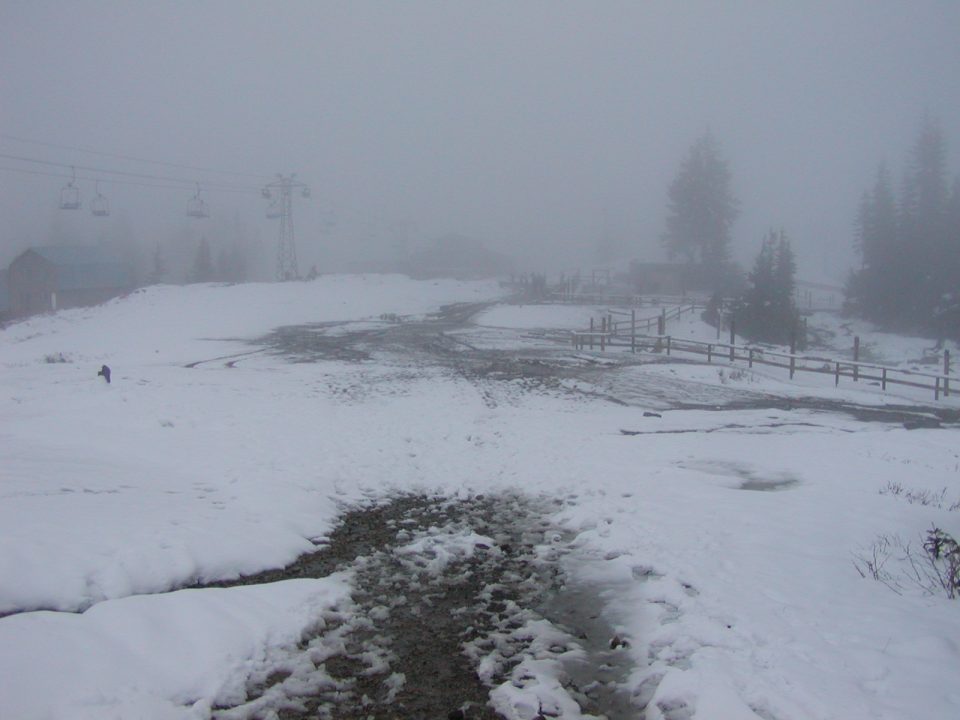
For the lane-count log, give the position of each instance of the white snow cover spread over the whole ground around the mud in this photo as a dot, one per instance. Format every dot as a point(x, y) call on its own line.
point(724, 544)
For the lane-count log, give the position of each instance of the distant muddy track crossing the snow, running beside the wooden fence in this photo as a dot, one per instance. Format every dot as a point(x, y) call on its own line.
point(444, 340)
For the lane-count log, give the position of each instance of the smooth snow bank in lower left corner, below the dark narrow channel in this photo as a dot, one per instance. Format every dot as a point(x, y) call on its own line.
point(161, 657)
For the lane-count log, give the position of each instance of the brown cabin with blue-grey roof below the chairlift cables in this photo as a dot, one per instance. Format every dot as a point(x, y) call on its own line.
point(44, 279)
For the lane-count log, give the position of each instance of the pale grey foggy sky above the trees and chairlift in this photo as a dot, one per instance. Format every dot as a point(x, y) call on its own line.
point(535, 126)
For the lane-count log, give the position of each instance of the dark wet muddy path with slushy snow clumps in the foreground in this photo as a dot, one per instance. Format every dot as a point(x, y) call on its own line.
point(463, 608)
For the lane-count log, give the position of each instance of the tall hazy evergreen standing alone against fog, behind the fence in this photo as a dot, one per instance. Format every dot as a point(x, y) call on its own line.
point(701, 210)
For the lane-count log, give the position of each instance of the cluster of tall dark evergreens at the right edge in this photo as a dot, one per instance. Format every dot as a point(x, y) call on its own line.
point(909, 245)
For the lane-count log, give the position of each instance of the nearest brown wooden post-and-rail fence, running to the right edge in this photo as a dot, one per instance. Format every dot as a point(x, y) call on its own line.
point(635, 334)
